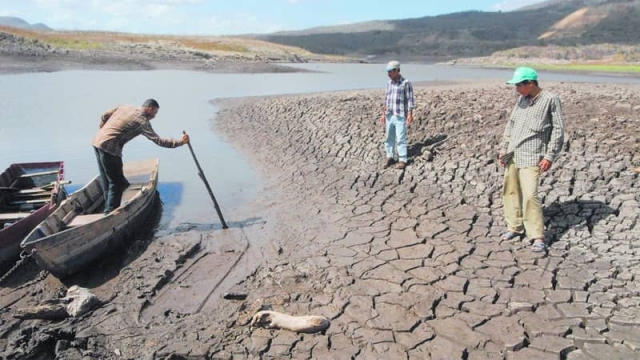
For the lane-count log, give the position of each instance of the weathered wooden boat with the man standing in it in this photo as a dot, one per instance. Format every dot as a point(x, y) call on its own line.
point(78, 232)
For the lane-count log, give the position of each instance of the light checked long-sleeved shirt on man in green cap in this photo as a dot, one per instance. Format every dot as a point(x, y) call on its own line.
point(535, 130)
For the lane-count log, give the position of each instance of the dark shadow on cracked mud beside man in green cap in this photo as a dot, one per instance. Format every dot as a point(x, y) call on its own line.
point(560, 218)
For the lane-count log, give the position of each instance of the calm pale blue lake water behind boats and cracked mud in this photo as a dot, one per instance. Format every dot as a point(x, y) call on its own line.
point(53, 116)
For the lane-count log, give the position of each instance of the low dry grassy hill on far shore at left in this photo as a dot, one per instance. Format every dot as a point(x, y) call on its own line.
point(31, 50)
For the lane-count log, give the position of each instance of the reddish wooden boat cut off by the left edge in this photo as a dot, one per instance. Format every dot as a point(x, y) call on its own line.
point(29, 192)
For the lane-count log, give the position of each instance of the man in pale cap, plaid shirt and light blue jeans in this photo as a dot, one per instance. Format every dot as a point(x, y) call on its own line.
point(397, 114)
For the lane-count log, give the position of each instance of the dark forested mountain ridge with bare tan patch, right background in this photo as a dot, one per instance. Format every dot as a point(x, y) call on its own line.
point(476, 33)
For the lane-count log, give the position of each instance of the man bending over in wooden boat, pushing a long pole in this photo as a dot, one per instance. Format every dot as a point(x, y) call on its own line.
point(117, 127)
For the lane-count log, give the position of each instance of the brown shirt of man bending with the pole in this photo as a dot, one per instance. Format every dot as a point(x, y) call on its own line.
point(120, 125)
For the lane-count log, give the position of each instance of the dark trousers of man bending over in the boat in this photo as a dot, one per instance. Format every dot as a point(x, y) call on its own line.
point(112, 179)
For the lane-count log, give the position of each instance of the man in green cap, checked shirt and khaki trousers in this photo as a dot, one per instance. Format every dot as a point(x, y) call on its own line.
point(532, 140)
